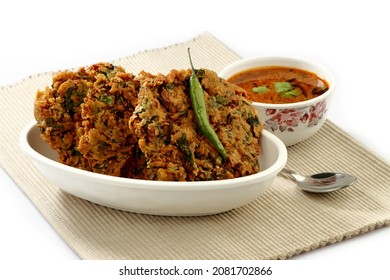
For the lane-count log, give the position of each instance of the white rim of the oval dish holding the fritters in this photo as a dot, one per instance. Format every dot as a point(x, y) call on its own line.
point(271, 171)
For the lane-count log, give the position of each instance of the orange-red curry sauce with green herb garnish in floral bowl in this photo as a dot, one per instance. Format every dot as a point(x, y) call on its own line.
point(279, 84)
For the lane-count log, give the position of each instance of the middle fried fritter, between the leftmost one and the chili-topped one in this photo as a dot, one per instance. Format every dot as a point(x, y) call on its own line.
point(107, 142)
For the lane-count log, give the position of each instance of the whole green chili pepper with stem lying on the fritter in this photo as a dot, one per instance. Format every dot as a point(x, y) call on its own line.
point(198, 102)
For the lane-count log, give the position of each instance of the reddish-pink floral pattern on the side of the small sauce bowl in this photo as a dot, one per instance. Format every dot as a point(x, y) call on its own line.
point(290, 118)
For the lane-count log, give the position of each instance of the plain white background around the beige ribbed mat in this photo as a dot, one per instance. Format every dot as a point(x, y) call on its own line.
point(350, 37)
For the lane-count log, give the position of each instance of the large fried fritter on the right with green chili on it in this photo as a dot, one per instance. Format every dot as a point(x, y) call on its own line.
point(167, 133)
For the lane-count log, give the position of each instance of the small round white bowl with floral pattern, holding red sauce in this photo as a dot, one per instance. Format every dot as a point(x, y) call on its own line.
point(293, 122)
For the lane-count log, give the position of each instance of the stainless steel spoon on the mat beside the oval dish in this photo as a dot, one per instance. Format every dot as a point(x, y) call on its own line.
point(321, 182)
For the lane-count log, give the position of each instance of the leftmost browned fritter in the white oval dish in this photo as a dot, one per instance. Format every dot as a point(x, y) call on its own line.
point(57, 110)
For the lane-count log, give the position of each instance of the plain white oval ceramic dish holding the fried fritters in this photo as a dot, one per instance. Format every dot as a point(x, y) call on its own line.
point(153, 197)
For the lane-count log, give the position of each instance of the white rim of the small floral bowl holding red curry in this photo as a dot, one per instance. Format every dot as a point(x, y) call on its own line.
point(330, 77)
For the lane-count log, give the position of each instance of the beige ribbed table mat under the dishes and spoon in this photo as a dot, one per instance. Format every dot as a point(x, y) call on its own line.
point(280, 224)
